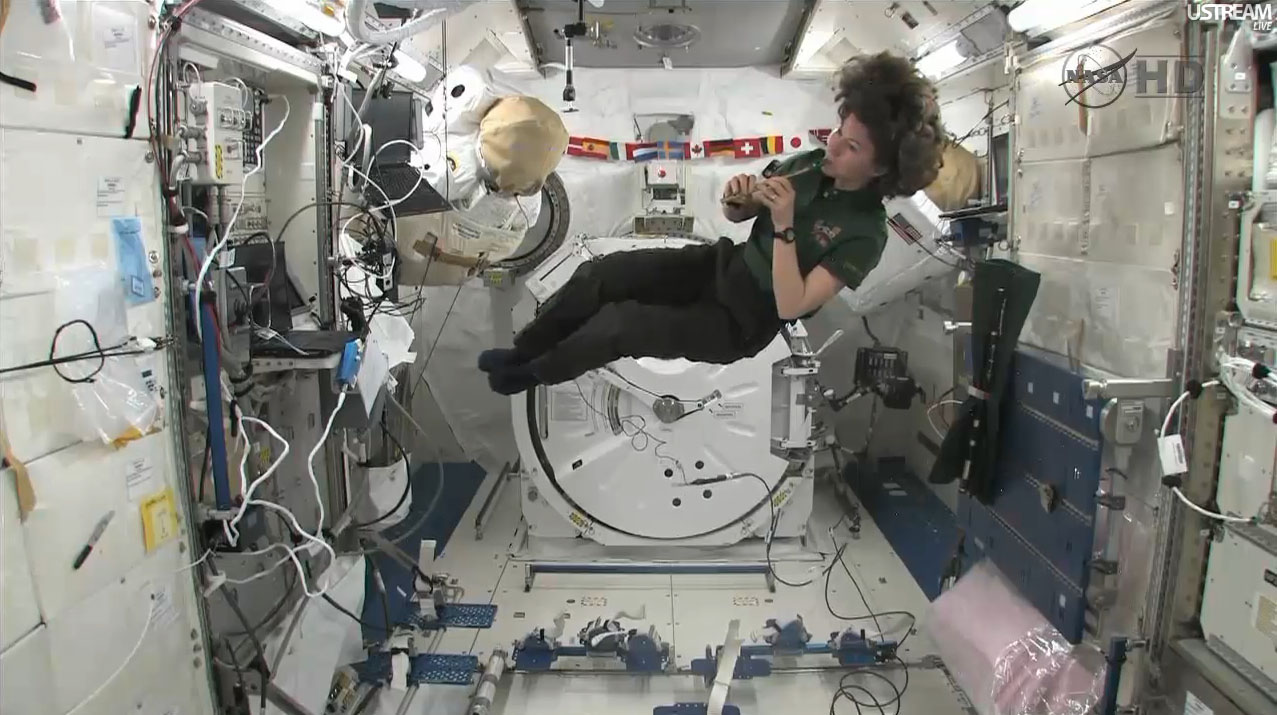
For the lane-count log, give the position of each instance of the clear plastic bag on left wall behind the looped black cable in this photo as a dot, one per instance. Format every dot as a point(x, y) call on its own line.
point(114, 403)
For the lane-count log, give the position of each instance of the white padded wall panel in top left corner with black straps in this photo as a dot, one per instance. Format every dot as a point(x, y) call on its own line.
point(85, 67)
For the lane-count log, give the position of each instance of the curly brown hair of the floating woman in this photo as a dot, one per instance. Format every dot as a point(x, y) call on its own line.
point(902, 114)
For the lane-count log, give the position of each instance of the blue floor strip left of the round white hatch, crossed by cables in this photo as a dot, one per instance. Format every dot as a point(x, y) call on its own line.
point(462, 482)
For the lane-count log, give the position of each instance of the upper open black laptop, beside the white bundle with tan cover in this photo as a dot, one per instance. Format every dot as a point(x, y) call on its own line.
point(394, 119)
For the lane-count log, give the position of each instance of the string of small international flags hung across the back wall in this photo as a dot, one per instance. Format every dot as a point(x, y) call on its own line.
point(750, 147)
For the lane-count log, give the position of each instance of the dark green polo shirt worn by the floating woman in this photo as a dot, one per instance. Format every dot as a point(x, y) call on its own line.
point(845, 232)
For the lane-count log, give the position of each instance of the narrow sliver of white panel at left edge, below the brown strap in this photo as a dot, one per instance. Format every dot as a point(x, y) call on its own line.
point(20, 613)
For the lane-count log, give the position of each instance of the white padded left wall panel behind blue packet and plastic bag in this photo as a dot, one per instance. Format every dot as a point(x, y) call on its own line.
point(50, 232)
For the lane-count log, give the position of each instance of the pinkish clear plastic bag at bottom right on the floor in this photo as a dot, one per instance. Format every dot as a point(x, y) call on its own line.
point(1007, 656)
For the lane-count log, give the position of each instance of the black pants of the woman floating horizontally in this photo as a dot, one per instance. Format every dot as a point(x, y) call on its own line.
point(698, 303)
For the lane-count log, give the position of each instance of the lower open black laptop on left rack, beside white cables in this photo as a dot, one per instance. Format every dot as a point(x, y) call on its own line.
point(276, 301)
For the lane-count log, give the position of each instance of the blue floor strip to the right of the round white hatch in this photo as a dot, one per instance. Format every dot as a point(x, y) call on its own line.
point(915, 522)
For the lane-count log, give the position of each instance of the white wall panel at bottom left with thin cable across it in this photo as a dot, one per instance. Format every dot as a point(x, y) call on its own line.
point(90, 643)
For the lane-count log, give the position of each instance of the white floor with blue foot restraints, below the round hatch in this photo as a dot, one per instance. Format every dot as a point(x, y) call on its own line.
point(690, 612)
